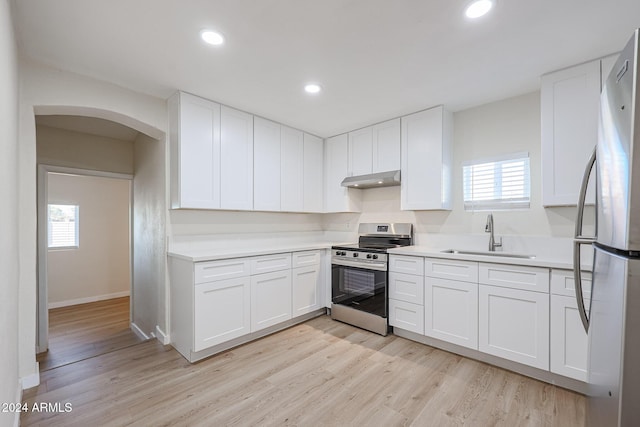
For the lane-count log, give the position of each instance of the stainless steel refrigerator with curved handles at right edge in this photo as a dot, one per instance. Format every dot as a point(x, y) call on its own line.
point(612, 320)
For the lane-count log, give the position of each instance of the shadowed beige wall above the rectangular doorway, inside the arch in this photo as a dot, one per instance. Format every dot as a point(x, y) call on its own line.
point(61, 147)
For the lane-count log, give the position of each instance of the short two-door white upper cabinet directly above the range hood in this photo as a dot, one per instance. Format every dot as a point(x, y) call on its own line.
point(375, 148)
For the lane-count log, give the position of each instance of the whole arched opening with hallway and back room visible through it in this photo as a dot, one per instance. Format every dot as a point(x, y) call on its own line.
point(99, 287)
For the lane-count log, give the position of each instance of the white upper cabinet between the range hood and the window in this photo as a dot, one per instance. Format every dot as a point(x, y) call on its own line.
point(426, 160)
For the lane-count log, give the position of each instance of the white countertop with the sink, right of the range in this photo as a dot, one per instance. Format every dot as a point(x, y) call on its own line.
point(538, 261)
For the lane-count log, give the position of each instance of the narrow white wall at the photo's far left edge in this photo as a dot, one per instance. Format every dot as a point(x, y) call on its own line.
point(9, 243)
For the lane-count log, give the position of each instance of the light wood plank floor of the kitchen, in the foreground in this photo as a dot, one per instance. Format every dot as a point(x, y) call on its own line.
point(318, 373)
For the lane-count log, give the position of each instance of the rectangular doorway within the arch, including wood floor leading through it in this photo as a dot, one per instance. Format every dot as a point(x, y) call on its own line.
point(88, 264)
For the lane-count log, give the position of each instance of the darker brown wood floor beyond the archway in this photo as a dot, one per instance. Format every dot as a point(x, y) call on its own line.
point(81, 331)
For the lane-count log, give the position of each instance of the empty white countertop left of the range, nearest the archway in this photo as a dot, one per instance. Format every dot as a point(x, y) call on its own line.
point(200, 255)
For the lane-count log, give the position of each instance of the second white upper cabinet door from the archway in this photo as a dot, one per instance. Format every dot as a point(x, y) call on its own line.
point(236, 164)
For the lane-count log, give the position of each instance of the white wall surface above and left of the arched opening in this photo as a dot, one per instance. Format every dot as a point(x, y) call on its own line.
point(45, 91)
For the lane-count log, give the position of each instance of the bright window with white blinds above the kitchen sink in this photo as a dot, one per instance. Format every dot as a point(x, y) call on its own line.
point(501, 183)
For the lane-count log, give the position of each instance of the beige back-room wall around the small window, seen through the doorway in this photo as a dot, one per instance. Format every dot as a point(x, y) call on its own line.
point(100, 267)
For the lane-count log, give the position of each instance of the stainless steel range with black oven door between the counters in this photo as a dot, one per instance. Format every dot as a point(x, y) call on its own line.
point(359, 275)
